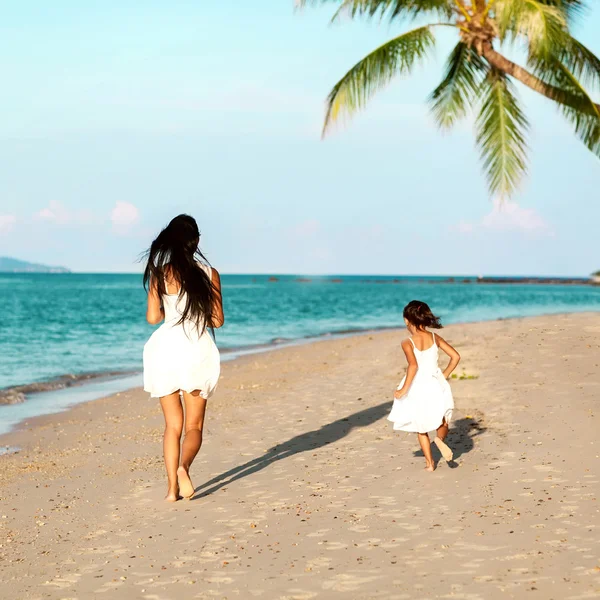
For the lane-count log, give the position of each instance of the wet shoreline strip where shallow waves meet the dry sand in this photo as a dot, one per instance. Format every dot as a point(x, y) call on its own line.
point(95, 386)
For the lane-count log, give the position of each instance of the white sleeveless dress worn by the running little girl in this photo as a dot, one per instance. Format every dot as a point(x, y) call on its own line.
point(429, 399)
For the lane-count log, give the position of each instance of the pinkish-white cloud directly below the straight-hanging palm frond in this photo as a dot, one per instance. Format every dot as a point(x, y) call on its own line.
point(509, 216)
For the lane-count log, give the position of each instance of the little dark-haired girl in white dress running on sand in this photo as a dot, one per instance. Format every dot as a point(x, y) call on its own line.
point(423, 400)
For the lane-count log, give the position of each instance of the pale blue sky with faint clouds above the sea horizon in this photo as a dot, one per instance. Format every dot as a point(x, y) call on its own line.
point(119, 115)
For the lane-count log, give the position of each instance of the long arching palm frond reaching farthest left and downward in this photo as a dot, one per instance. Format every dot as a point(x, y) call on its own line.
point(375, 71)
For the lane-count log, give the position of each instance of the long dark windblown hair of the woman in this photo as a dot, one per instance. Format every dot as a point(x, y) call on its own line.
point(175, 252)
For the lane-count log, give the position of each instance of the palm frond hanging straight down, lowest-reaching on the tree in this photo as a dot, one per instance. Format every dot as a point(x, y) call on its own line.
point(501, 128)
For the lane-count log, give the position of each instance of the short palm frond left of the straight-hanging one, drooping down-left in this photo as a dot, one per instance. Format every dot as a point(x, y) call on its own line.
point(464, 71)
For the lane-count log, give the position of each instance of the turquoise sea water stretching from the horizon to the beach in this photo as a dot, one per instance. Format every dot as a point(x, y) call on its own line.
point(59, 324)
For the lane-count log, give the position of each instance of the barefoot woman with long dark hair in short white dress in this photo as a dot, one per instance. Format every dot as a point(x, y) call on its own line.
point(181, 357)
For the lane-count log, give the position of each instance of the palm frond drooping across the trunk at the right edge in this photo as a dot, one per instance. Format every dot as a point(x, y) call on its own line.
point(580, 111)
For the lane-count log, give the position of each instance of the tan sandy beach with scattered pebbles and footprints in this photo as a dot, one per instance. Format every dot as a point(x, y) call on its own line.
point(304, 491)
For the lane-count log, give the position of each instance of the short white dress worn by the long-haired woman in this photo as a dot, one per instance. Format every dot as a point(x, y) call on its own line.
point(177, 357)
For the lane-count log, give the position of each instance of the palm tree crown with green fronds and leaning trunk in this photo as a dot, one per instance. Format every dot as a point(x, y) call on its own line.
point(478, 75)
